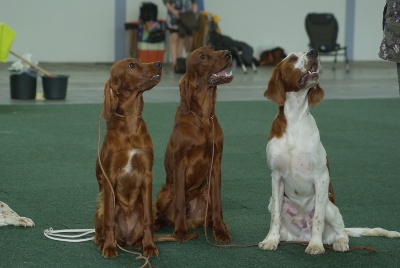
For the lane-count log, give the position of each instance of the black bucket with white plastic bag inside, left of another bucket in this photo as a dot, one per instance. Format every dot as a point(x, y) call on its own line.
point(23, 85)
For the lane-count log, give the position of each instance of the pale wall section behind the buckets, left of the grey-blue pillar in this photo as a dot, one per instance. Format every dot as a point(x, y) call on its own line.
point(61, 30)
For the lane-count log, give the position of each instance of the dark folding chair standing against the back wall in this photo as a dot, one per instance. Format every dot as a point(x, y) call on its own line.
point(322, 30)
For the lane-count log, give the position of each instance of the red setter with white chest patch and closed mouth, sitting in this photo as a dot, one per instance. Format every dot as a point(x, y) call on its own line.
point(124, 165)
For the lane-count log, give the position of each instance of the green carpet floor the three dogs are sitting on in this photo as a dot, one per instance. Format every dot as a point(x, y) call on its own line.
point(47, 173)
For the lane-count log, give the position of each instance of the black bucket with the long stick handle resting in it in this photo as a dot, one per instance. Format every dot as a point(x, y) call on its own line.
point(55, 87)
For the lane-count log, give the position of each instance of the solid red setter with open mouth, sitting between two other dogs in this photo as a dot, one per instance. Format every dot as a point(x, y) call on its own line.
point(193, 154)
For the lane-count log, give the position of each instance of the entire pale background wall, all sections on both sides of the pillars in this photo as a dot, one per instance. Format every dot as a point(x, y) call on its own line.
point(83, 30)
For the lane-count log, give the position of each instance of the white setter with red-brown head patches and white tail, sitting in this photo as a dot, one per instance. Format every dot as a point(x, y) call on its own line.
point(300, 207)
